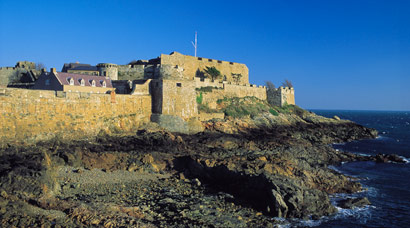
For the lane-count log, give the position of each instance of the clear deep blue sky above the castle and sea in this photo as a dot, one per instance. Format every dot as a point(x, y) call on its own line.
point(338, 54)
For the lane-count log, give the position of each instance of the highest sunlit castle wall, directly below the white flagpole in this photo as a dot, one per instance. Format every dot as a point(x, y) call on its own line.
point(194, 66)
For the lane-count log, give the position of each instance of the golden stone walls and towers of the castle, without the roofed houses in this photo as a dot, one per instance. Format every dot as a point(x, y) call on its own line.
point(163, 89)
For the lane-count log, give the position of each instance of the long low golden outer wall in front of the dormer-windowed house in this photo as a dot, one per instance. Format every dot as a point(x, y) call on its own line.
point(31, 115)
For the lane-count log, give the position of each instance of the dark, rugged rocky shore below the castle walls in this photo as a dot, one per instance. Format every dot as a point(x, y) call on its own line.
point(237, 173)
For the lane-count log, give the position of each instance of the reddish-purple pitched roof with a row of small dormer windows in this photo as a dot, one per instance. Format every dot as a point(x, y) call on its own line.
point(64, 79)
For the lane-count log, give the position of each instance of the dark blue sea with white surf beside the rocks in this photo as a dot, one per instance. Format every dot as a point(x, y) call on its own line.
point(388, 185)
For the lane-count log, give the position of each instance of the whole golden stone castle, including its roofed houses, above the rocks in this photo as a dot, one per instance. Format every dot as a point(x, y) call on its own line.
point(163, 90)
